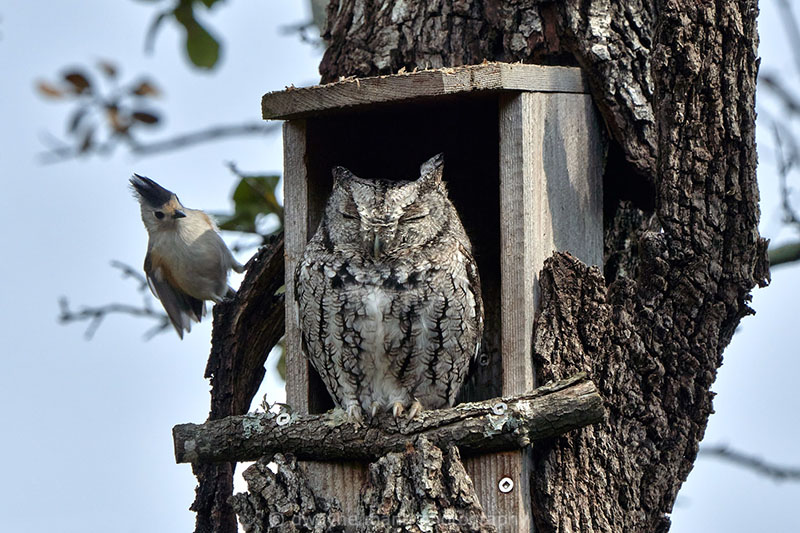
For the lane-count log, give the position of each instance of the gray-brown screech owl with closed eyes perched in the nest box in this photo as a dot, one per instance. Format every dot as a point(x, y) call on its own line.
point(388, 295)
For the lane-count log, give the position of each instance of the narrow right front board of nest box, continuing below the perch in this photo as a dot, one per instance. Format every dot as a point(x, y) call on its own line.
point(516, 313)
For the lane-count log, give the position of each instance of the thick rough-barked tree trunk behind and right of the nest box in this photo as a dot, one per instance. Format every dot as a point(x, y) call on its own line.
point(675, 83)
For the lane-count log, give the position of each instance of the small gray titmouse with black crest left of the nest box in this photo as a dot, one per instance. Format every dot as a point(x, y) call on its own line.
point(187, 261)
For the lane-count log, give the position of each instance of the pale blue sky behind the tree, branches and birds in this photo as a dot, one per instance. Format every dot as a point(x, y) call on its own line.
point(87, 425)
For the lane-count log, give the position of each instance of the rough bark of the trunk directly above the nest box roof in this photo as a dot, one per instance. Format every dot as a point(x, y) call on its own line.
point(610, 40)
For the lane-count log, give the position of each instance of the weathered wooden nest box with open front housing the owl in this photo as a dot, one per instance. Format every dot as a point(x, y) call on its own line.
point(524, 160)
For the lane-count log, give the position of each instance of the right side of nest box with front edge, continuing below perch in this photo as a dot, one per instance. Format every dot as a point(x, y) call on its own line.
point(550, 199)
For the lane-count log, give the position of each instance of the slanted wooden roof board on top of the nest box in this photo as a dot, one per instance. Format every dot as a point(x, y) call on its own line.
point(348, 93)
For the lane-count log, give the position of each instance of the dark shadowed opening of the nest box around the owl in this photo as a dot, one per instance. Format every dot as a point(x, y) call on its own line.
point(390, 142)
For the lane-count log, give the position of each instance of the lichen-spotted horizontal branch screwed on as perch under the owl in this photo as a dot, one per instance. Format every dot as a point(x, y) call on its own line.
point(497, 424)
